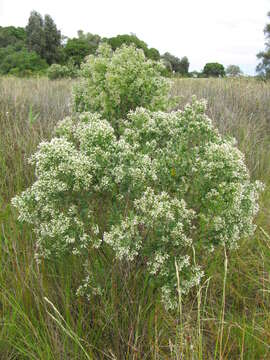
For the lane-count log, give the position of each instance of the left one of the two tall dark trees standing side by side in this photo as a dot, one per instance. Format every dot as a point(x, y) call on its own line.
point(35, 38)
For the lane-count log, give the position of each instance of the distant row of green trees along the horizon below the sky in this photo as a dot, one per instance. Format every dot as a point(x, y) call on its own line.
point(29, 50)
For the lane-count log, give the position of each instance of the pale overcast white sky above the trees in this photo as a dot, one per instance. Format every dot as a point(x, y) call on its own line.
point(224, 31)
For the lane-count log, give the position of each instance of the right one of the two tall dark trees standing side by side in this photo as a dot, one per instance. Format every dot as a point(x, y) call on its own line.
point(52, 41)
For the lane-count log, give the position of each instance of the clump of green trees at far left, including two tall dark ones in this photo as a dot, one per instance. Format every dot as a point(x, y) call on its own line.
point(30, 50)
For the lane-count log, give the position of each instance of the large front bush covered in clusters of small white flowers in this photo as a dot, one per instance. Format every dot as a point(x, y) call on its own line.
point(159, 191)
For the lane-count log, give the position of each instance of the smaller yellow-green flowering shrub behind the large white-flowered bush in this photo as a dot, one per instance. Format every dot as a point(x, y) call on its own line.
point(114, 83)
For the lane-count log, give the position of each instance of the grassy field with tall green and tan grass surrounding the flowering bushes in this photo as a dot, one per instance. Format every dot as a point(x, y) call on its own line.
point(228, 317)
